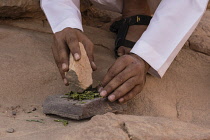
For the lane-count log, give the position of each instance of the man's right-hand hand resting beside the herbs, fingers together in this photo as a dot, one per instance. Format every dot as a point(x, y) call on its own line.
point(125, 79)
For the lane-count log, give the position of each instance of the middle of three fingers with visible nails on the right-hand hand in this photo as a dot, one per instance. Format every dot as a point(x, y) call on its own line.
point(123, 89)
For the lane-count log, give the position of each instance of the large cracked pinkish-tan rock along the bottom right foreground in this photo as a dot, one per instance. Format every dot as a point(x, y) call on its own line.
point(130, 127)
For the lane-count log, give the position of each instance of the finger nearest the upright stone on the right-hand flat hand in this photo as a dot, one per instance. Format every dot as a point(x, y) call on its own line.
point(121, 78)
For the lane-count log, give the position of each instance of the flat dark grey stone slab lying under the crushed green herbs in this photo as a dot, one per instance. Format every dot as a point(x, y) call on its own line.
point(73, 109)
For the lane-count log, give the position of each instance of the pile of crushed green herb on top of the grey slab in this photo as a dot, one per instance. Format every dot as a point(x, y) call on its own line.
point(86, 95)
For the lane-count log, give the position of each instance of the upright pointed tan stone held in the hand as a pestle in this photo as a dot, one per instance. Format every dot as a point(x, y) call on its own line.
point(80, 72)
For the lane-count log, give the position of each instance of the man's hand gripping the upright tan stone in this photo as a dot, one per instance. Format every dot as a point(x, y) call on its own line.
point(67, 41)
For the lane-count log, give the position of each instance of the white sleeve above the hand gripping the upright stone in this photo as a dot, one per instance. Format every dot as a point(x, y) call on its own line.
point(62, 14)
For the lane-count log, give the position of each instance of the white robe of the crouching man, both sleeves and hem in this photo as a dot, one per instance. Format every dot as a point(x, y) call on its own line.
point(171, 26)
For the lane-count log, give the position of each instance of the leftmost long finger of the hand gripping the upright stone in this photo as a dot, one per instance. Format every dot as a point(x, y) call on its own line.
point(63, 53)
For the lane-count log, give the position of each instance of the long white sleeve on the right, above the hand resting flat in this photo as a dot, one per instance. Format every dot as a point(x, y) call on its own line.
point(171, 26)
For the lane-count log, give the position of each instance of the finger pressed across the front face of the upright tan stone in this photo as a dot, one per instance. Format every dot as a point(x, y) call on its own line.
point(73, 44)
